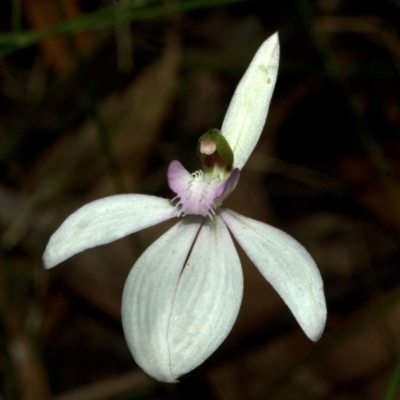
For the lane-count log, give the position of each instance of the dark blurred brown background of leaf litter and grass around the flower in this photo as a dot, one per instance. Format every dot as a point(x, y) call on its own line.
point(98, 96)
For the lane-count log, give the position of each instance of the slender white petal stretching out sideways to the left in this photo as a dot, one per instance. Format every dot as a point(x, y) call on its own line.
point(103, 221)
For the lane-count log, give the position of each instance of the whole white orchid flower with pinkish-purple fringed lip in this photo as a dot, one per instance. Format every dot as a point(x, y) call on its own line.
point(183, 295)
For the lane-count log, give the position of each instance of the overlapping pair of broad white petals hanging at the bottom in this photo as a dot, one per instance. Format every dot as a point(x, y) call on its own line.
point(173, 319)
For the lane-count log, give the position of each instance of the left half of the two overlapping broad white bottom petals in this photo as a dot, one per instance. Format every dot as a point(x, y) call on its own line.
point(149, 295)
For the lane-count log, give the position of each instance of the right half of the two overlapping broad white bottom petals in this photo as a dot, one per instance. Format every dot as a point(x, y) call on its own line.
point(207, 300)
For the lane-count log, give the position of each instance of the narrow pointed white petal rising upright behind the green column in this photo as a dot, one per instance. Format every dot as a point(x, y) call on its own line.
point(245, 118)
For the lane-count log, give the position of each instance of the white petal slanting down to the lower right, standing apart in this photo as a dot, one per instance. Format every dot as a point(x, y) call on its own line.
point(287, 265)
